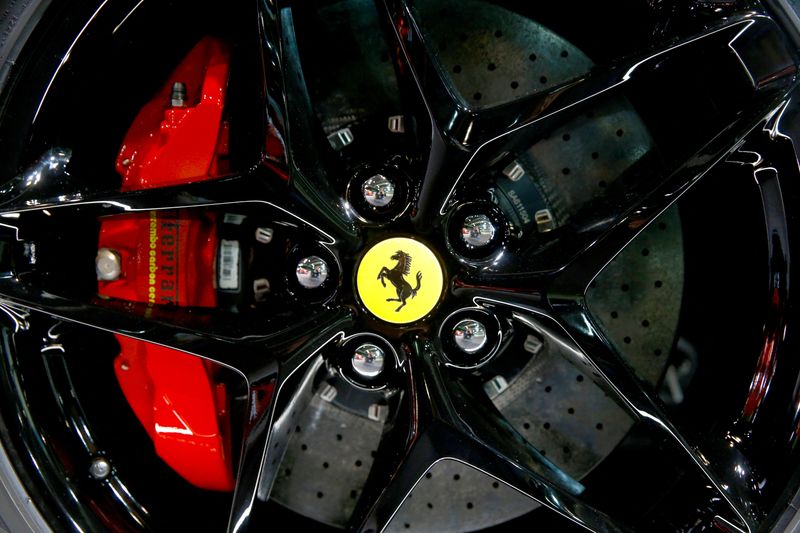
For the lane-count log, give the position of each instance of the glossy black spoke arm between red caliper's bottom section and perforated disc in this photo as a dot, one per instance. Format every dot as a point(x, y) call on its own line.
point(275, 401)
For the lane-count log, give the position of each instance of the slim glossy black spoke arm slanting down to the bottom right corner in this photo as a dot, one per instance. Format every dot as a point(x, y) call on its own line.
point(574, 335)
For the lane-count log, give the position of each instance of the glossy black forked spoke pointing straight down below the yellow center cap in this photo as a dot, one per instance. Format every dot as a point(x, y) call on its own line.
point(447, 421)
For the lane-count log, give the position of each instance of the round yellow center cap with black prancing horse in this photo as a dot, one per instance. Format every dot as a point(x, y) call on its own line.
point(399, 280)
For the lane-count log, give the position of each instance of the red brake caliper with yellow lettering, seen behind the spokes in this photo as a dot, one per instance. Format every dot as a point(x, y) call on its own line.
point(168, 257)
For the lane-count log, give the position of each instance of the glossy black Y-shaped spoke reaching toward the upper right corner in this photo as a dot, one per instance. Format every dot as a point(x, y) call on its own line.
point(465, 141)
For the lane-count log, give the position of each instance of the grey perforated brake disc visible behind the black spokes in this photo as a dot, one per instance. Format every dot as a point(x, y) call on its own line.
point(493, 56)
